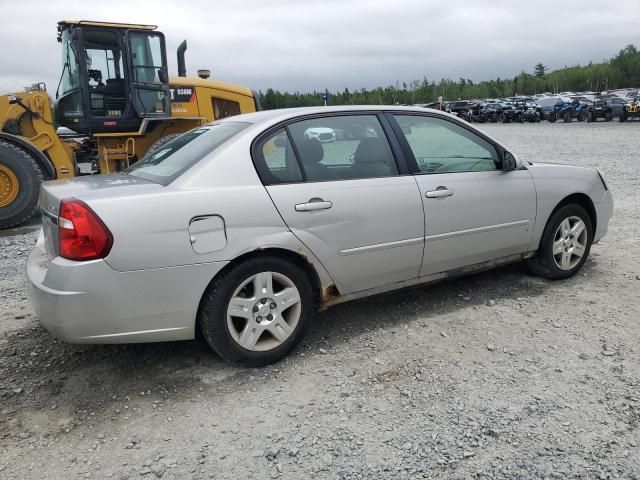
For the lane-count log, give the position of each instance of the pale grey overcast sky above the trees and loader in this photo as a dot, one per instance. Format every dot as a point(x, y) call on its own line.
point(312, 45)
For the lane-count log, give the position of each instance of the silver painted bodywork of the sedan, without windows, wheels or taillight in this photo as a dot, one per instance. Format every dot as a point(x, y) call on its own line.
point(379, 234)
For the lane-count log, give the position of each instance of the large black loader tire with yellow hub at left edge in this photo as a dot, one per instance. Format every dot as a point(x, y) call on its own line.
point(20, 179)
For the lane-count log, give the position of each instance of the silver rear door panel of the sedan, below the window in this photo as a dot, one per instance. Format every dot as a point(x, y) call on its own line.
point(371, 235)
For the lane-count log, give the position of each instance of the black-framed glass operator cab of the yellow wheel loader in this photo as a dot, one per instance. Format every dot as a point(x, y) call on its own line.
point(114, 76)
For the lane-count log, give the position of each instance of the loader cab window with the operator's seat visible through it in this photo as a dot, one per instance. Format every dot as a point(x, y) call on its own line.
point(105, 73)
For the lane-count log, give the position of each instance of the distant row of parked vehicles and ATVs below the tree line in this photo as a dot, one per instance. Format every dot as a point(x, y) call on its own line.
point(567, 107)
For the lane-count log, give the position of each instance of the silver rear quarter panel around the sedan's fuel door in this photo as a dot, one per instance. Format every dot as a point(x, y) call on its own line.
point(151, 230)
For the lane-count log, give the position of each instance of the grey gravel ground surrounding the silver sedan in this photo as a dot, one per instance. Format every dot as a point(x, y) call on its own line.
point(497, 375)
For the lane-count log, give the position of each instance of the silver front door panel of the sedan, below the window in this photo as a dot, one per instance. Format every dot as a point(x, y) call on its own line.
point(475, 223)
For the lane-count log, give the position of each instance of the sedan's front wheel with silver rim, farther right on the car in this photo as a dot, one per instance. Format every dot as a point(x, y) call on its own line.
point(565, 244)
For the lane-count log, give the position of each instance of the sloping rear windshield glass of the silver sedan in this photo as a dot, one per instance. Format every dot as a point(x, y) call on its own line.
point(177, 156)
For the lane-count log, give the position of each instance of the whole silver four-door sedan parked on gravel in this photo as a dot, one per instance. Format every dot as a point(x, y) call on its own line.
point(243, 228)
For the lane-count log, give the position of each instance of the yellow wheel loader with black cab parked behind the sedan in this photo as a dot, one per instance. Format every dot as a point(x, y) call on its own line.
point(115, 101)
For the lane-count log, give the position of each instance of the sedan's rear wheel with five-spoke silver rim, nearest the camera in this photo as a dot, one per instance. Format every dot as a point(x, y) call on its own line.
point(257, 312)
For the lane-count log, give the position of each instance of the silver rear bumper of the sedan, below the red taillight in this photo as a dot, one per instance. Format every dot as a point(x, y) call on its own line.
point(89, 302)
